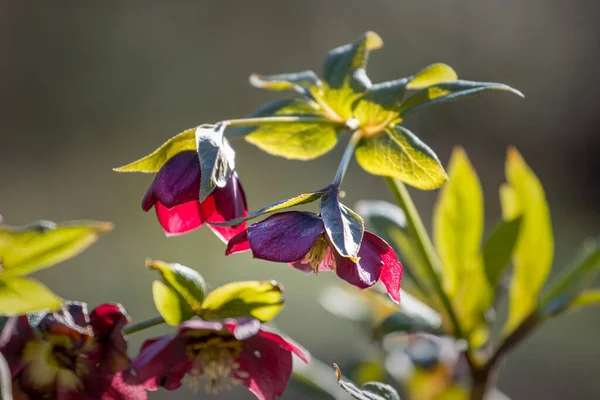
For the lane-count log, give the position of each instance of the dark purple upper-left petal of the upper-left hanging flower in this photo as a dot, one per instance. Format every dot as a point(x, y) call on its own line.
point(177, 182)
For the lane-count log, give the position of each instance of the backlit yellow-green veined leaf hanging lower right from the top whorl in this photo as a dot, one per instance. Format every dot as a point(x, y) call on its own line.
point(398, 153)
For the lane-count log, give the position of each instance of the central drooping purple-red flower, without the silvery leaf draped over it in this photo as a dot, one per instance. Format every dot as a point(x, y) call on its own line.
point(299, 238)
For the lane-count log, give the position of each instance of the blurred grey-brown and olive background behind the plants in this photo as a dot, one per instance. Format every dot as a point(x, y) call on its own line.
point(87, 87)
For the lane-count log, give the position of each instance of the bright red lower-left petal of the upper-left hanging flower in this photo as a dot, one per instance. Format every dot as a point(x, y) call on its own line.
point(180, 219)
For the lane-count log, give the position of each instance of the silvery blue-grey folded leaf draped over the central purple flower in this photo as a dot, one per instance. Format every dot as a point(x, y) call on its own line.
point(343, 226)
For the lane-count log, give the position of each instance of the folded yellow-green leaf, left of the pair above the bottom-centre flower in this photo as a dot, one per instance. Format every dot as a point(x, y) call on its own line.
point(180, 293)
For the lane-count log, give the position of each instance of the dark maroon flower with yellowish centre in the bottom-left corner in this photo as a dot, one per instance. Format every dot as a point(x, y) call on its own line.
point(70, 355)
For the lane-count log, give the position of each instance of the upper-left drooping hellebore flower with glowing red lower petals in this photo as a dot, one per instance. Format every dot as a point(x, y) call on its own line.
point(175, 193)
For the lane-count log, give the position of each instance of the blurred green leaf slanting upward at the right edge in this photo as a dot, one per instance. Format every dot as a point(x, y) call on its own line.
point(576, 278)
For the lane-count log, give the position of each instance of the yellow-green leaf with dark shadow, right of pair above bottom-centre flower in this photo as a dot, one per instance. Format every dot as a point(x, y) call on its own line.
point(260, 299)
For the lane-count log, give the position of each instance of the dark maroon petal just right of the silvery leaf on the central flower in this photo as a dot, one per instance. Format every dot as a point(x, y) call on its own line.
point(367, 270)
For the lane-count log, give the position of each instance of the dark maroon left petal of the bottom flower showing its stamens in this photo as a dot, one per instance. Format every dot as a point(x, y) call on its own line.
point(162, 362)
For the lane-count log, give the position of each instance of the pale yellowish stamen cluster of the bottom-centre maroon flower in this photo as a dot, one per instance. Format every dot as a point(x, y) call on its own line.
point(214, 358)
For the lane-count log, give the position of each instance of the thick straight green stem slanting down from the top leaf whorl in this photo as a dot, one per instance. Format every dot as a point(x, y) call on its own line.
point(425, 247)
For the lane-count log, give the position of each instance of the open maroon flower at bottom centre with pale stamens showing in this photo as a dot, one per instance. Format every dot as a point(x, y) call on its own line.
point(224, 353)
